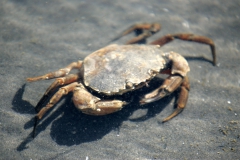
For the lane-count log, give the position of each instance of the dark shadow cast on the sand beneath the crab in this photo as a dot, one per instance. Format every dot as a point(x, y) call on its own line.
point(71, 127)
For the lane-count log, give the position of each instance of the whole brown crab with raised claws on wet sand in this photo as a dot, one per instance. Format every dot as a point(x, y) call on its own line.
point(118, 69)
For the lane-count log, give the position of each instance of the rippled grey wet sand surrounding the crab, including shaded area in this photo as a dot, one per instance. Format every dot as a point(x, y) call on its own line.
point(37, 37)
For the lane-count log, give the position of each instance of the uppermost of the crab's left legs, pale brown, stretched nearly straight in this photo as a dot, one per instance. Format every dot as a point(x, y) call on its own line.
point(59, 73)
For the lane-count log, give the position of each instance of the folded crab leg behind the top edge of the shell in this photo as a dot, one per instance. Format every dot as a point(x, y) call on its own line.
point(145, 29)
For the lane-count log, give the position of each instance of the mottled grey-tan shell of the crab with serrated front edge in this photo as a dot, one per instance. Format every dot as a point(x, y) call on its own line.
point(117, 69)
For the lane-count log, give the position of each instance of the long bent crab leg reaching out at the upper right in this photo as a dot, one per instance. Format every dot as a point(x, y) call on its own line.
point(187, 37)
